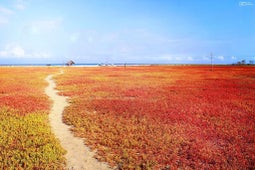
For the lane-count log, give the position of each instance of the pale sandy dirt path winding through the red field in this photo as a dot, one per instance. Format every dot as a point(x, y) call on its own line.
point(79, 157)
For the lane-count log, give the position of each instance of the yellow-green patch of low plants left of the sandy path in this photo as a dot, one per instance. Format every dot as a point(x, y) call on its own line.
point(26, 142)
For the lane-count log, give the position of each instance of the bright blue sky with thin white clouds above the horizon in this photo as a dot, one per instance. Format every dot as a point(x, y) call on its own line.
point(127, 31)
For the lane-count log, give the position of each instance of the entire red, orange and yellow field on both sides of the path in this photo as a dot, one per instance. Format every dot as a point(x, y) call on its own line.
point(153, 117)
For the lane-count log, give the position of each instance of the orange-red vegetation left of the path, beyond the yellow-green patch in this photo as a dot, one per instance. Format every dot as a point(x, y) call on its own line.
point(22, 89)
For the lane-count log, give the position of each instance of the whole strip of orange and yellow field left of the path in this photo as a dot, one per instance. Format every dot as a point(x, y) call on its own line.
point(26, 140)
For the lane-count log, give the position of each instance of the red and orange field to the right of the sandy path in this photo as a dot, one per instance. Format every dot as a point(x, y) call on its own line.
point(161, 117)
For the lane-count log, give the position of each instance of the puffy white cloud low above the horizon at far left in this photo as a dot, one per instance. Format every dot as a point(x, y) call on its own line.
point(14, 50)
